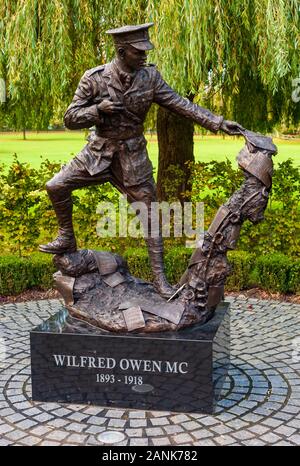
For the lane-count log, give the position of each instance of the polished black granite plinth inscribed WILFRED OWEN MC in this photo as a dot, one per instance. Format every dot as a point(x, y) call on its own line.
point(180, 371)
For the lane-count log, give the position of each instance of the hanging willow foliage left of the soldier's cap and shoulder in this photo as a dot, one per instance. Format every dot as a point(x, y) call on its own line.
point(46, 47)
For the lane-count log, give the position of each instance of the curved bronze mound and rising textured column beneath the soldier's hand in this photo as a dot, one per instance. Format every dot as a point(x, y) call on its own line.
point(98, 288)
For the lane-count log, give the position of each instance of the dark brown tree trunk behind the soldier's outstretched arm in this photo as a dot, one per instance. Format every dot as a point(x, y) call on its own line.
point(175, 148)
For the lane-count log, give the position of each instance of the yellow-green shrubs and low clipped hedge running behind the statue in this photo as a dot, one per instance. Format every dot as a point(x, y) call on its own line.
point(27, 219)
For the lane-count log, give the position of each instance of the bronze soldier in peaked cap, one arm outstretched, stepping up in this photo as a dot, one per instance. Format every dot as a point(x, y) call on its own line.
point(115, 98)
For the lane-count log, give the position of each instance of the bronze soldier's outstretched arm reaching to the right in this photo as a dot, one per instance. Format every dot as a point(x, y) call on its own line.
point(165, 96)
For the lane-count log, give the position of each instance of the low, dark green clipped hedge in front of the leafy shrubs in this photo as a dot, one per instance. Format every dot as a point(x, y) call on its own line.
point(272, 272)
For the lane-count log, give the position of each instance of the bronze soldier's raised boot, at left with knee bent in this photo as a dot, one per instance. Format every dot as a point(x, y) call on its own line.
point(65, 241)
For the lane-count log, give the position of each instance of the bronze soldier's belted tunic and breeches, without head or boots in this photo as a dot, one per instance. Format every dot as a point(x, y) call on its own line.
point(116, 150)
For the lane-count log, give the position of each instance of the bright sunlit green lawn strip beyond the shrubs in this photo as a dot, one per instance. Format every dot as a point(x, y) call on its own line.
point(62, 146)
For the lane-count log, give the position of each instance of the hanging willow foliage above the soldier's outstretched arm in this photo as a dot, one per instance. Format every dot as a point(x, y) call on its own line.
point(228, 54)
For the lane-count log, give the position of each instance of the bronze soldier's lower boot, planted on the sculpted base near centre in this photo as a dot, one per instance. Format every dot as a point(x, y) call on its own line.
point(155, 248)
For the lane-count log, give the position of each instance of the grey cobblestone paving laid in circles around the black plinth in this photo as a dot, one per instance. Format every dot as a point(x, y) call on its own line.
point(260, 404)
